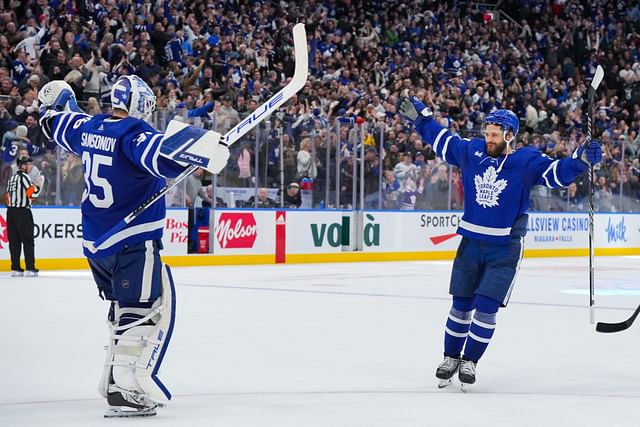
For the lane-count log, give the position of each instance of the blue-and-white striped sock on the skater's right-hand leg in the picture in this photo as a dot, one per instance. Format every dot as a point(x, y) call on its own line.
point(482, 327)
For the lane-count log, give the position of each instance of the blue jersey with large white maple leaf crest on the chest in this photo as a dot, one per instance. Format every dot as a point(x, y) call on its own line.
point(496, 190)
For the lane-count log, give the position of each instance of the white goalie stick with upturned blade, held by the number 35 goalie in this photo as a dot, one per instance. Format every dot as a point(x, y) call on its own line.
point(297, 82)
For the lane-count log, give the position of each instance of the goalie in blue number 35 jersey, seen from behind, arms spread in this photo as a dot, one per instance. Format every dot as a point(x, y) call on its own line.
point(125, 162)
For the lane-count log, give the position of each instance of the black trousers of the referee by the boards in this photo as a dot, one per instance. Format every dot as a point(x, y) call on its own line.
point(20, 233)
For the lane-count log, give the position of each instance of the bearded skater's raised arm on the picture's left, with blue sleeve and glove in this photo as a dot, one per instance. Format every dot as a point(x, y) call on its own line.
point(450, 148)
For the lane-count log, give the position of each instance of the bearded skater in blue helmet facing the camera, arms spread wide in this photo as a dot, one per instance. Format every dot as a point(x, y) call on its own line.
point(497, 181)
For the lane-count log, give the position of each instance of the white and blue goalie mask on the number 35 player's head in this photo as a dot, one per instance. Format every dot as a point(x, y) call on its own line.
point(133, 95)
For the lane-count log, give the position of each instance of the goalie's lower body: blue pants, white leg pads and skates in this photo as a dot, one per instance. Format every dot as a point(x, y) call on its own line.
point(140, 329)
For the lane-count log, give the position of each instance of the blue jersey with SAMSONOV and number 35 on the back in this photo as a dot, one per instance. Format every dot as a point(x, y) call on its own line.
point(122, 168)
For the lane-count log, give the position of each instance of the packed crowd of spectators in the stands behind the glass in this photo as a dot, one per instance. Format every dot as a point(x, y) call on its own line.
point(213, 62)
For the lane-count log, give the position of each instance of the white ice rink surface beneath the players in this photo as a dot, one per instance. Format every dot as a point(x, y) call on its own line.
point(333, 345)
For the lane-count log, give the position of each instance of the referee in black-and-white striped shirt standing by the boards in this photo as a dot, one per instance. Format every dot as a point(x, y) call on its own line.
point(20, 190)
